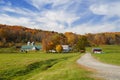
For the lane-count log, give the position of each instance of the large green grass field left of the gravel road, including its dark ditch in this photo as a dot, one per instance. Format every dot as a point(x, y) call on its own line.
point(42, 66)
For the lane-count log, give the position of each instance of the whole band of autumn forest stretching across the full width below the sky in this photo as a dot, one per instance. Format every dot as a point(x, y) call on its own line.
point(12, 35)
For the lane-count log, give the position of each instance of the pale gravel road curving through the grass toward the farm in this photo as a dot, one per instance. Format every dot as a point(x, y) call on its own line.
point(105, 71)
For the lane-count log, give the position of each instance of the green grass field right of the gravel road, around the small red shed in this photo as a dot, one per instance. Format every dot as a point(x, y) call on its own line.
point(111, 54)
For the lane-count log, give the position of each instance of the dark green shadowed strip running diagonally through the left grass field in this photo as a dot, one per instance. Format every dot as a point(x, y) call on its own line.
point(42, 66)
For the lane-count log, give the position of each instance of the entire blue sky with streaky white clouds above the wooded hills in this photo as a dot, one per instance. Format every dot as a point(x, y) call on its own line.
point(78, 16)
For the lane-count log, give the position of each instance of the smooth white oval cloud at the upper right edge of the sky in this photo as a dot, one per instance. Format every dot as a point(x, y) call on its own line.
point(108, 9)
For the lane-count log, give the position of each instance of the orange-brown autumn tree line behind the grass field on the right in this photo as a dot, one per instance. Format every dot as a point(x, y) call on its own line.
point(107, 38)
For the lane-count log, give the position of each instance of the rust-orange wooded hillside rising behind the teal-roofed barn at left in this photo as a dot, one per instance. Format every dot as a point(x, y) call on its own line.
point(19, 34)
